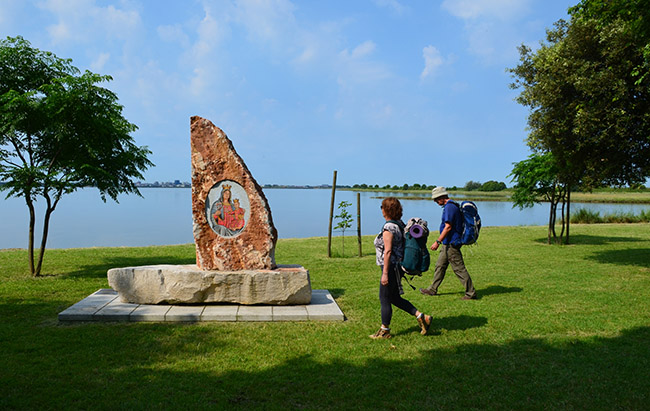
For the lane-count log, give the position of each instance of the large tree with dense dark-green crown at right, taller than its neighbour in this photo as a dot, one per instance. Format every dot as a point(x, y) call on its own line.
point(587, 93)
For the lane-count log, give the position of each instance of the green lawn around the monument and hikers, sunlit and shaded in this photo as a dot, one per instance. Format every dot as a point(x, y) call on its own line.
point(555, 327)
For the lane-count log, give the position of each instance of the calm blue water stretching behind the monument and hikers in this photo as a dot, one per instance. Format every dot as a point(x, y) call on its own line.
point(164, 216)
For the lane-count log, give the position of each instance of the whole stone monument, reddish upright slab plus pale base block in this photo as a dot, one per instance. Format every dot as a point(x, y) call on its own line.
point(234, 235)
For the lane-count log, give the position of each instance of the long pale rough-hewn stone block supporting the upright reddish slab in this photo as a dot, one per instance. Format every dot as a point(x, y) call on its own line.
point(187, 284)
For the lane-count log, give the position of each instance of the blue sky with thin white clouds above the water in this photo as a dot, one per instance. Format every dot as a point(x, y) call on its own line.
point(382, 91)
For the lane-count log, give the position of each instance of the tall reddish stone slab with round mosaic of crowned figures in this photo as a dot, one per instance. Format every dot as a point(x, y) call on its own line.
point(233, 227)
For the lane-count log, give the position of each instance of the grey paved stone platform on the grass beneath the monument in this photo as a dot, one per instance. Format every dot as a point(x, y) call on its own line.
point(104, 305)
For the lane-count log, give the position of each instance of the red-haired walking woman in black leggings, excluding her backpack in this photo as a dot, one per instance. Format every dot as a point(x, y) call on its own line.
point(389, 246)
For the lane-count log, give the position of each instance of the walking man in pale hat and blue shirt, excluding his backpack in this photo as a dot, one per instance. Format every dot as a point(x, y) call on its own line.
point(449, 242)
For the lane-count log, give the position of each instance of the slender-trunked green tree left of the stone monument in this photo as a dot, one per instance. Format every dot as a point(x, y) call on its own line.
point(59, 131)
